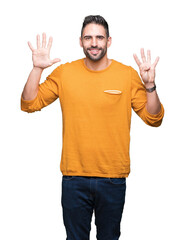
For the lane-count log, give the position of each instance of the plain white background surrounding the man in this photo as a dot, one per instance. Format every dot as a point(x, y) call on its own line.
point(31, 144)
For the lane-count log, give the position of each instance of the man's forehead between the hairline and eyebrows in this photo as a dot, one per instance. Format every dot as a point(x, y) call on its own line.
point(94, 29)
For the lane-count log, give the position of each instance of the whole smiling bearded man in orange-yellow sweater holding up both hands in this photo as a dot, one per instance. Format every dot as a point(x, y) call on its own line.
point(96, 96)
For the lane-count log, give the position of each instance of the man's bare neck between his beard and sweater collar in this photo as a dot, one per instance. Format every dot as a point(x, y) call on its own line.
point(97, 65)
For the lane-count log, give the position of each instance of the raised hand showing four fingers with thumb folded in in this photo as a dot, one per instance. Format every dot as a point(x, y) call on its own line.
point(147, 70)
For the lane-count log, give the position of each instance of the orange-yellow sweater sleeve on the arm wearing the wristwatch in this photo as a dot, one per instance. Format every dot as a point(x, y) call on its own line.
point(139, 100)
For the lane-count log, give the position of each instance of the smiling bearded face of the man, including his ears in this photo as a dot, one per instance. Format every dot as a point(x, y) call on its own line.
point(94, 41)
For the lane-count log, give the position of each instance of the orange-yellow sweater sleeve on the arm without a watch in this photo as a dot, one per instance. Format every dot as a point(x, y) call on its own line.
point(48, 92)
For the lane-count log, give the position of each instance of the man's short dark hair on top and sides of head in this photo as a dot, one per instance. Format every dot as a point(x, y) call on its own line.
point(97, 19)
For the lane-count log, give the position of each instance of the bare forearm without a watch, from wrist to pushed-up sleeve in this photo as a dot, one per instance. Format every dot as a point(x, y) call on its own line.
point(31, 87)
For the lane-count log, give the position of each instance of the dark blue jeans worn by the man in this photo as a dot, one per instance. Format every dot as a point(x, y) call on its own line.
point(82, 195)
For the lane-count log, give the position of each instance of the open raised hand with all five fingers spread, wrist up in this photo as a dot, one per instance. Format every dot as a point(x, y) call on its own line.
point(41, 55)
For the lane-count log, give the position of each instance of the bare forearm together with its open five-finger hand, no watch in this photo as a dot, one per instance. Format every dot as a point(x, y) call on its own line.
point(41, 60)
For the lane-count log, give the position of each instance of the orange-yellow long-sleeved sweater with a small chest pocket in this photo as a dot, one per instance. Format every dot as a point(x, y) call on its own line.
point(96, 122)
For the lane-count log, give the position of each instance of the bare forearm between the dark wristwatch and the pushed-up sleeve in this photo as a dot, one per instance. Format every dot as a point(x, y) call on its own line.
point(153, 104)
